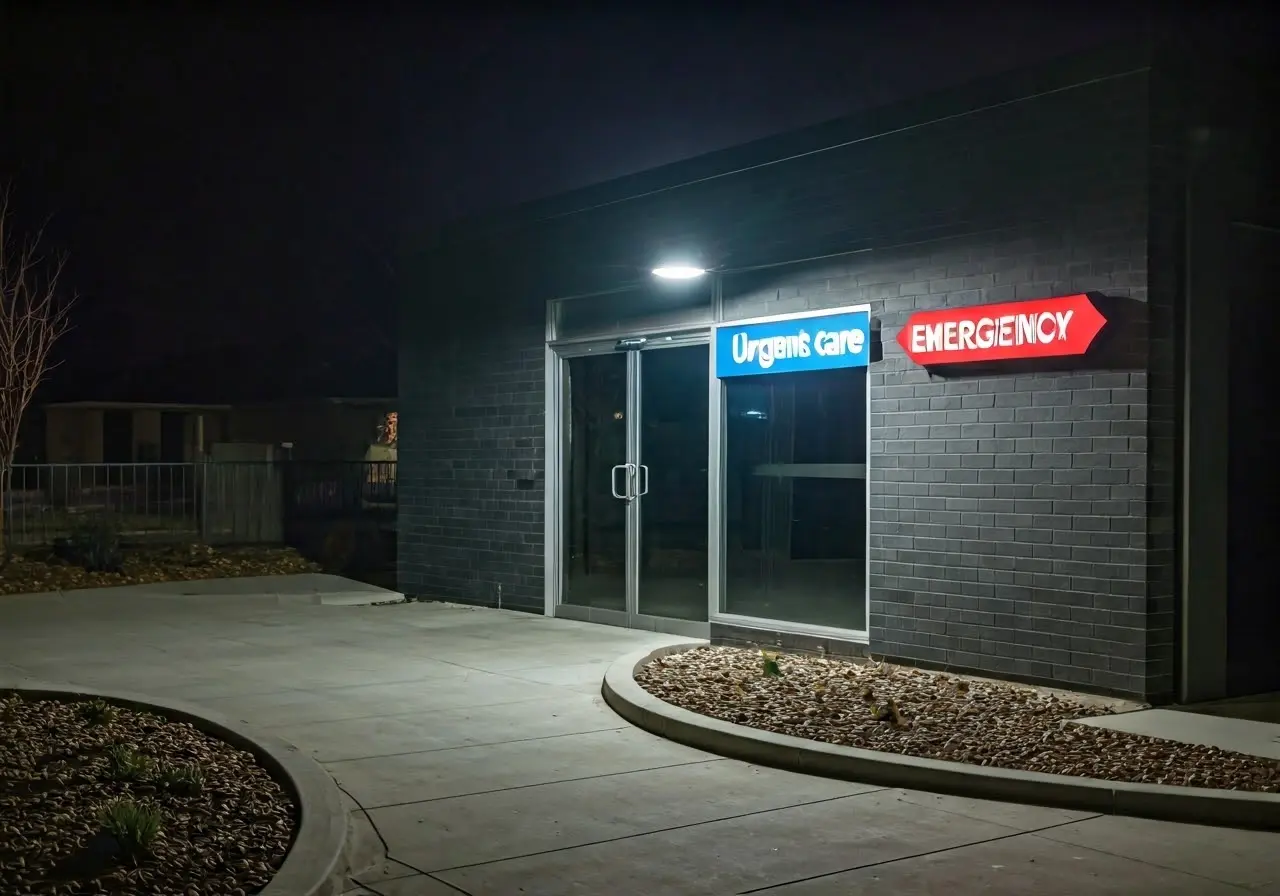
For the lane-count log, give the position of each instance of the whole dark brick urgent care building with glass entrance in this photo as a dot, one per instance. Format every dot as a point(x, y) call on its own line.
point(572, 442)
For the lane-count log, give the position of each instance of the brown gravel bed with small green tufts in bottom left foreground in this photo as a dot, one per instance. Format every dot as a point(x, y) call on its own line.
point(225, 828)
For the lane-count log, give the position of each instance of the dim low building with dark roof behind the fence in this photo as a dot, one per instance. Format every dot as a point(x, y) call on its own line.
point(168, 412)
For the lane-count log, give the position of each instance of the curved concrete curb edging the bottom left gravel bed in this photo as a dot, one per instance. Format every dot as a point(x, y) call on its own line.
point(317, 863)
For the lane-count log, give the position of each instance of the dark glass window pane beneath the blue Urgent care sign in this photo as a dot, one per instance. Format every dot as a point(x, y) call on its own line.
point(797, 497)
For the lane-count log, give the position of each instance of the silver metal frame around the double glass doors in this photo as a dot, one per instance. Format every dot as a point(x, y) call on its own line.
point(557, 437)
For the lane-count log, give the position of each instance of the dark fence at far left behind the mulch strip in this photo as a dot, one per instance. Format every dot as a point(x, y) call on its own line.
point(213, 501)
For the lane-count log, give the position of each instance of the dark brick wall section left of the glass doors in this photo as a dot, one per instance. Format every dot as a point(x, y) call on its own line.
point(472, 464)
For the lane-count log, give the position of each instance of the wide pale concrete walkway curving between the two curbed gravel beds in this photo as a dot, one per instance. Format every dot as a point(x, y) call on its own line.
point(481, 748)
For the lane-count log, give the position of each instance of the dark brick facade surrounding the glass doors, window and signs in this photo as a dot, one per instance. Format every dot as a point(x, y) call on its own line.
point(1011, 525)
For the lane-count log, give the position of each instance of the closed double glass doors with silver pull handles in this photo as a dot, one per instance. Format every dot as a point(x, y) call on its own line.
point(634, 525)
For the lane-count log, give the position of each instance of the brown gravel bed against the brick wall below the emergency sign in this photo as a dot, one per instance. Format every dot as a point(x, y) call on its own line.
point(936, 716)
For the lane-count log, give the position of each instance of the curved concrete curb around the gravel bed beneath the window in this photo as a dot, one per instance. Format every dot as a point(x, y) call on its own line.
point(1195, 806)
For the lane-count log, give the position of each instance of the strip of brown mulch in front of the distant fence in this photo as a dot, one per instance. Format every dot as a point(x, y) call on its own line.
point(38, 572)
